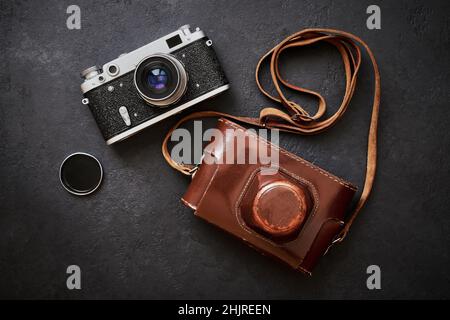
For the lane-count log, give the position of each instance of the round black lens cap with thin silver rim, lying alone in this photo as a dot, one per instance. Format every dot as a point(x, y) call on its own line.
point(81, 173)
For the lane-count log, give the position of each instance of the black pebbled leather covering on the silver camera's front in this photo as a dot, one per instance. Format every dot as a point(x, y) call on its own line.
point(202, 66)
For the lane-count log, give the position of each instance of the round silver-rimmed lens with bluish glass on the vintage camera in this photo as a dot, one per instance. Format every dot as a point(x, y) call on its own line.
point(160, 80)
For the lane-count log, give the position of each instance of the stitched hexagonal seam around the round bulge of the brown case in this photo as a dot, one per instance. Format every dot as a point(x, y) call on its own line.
point(313, 192)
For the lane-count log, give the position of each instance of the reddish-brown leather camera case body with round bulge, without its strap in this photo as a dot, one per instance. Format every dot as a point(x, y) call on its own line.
point(224, 193)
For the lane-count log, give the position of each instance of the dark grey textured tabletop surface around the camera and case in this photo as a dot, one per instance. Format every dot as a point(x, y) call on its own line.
point(134, 239)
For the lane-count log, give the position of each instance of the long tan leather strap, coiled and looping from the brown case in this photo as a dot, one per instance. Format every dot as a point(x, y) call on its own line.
point(296, 119)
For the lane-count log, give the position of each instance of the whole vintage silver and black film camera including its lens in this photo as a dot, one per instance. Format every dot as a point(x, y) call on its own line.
point(149, 84)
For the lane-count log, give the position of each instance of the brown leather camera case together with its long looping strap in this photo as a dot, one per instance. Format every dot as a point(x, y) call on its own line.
point(296, 214)
